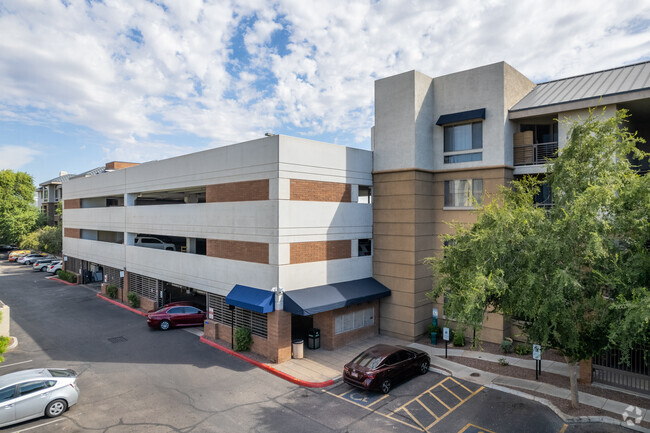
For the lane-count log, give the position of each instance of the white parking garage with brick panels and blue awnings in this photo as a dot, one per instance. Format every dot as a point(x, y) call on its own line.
point(279, 228)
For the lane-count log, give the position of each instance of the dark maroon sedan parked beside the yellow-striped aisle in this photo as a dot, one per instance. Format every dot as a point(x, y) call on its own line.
point(383, 366)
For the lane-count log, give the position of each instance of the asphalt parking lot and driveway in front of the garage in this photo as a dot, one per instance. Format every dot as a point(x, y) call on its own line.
point(135, 379)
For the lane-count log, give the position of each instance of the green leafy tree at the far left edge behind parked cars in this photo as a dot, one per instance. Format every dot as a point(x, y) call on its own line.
point(18, 215)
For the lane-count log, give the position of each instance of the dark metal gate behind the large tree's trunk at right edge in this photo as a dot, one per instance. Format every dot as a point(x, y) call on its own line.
point(608, 369)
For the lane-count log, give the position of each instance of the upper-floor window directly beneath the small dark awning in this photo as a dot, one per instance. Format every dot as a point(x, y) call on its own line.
point(461, 141)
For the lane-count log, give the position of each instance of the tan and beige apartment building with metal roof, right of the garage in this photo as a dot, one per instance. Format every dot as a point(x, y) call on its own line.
point(442, 144)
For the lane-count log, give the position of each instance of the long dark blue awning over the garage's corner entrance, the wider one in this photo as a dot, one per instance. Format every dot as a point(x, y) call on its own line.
point(313, 300)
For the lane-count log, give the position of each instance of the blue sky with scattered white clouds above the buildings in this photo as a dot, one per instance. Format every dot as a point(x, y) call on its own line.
point(85, 82)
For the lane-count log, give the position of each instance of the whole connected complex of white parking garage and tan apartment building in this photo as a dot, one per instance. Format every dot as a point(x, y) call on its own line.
point(283, 234)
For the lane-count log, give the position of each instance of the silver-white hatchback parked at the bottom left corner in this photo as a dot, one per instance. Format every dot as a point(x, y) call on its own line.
point(34, 393)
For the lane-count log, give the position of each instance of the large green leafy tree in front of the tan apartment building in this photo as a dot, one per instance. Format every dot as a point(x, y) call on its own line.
point(578, 272)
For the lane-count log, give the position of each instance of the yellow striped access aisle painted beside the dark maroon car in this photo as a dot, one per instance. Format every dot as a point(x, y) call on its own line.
point(429, 408)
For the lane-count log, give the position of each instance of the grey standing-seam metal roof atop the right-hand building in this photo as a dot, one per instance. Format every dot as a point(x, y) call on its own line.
point(625, 79)
